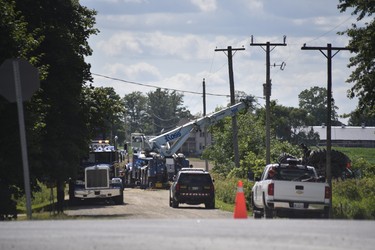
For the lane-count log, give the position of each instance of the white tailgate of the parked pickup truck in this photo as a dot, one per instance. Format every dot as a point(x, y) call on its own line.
point(299, 191)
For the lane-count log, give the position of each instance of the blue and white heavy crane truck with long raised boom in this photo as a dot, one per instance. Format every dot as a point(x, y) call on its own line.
point(163, 148)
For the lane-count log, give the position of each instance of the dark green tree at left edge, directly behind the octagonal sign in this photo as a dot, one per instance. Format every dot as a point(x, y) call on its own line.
point(17, 41)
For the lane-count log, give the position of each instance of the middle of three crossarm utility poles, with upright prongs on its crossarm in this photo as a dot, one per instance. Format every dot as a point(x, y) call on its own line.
point(267, 91)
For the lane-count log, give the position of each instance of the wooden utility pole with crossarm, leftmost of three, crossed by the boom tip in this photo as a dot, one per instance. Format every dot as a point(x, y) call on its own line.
point(232, 100)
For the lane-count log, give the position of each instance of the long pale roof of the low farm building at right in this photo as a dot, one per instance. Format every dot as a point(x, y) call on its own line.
point(348, 133)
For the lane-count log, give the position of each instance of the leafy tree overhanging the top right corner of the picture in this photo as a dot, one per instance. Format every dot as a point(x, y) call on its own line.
point(362, 41)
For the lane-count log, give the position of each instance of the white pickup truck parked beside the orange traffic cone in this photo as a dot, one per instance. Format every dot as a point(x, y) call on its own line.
point(290, 190)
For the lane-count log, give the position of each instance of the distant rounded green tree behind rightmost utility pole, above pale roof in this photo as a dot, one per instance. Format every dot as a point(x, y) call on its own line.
point(314, 101)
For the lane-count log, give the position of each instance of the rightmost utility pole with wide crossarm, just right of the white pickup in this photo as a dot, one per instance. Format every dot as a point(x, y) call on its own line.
point(329, 57)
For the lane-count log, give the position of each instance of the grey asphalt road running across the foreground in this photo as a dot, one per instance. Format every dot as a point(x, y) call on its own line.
point(187, 234)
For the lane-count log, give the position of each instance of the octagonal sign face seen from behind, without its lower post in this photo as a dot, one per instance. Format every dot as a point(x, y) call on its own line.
point(28, 78)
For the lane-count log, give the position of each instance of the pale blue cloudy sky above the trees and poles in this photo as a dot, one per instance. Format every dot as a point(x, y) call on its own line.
point(171, 44)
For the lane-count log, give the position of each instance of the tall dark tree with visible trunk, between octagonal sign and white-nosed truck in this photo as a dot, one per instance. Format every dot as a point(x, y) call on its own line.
point(66, 26)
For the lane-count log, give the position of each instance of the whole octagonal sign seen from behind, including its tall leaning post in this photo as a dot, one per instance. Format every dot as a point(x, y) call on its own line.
point(19, 81)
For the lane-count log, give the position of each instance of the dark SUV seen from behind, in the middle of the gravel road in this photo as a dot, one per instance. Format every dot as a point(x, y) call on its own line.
point(192, 186)
